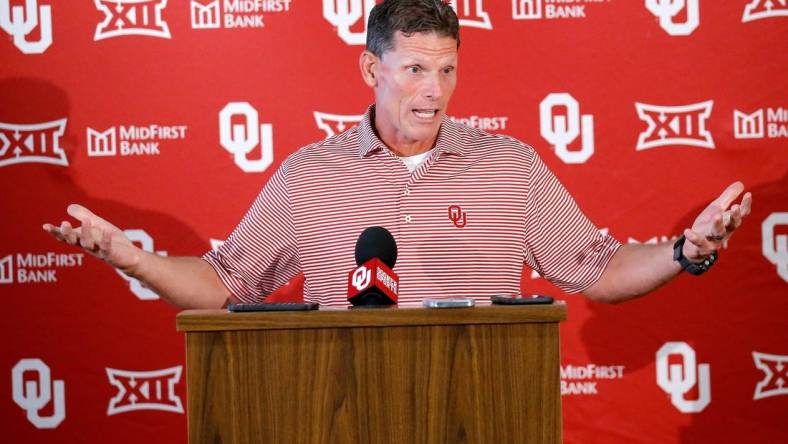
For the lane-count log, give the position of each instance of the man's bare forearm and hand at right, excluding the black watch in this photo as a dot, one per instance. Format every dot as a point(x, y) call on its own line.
point(638, 269)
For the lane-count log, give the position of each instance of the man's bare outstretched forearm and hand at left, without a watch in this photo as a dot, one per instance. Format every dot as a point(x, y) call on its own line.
point(188, 282)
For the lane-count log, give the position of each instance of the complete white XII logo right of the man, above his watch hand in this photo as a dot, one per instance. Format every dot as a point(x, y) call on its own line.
point(675, 125)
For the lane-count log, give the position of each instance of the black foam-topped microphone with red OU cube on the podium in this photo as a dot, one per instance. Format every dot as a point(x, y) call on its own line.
point(374, 282)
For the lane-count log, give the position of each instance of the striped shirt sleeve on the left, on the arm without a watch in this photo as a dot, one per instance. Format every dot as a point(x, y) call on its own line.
point(261, 254)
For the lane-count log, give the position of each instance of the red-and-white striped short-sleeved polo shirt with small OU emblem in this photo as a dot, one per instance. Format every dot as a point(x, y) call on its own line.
point(465, 221)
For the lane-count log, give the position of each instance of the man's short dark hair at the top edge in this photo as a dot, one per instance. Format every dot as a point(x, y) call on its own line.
point(409, 17)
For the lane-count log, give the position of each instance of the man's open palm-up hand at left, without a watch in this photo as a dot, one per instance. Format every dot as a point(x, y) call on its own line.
point(99, 238)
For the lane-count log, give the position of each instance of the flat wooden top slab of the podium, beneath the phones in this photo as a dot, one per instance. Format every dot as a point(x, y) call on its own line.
point(218, 320)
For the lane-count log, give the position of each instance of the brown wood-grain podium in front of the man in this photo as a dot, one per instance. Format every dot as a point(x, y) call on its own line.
point(488, 374)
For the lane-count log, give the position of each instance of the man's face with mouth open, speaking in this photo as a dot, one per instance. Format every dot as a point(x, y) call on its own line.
point(413, 84)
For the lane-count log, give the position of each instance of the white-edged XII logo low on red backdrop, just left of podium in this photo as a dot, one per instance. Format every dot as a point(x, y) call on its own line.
point(153, 390)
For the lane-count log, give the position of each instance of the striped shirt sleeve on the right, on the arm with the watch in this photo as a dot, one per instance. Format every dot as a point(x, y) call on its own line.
point(562, 244)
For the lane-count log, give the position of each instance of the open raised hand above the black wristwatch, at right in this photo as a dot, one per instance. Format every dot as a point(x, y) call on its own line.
point(717, 222)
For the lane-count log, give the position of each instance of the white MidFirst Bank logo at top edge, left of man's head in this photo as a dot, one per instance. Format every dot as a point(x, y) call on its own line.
point(234, 13)
